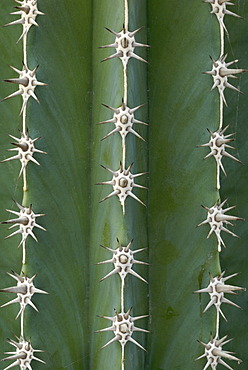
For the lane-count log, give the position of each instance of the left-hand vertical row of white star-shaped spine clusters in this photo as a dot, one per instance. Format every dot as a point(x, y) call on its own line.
point(25, 219)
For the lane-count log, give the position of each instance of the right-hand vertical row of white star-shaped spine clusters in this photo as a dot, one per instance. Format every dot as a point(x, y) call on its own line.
point(216, 215)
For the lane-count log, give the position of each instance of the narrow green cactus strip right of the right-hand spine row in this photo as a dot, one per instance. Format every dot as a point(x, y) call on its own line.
point(233, 258)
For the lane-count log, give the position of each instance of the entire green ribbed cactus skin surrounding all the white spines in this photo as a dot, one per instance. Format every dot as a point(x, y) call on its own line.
point(181, 107)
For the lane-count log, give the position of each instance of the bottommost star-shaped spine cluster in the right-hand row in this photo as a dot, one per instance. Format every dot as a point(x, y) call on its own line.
point(214, 353)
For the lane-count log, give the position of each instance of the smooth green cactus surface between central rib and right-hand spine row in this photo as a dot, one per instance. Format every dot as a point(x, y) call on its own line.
point(181, 108)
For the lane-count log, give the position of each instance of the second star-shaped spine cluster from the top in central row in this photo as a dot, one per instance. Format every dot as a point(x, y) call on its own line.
point(123, 119)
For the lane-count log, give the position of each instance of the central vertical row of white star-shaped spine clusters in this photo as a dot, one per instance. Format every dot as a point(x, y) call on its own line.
point(123, 183)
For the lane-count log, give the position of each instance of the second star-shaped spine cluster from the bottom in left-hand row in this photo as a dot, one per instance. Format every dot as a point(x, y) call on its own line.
point(25, 290)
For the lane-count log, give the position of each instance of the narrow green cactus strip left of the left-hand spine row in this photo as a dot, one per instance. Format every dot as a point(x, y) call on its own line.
point(10, 255)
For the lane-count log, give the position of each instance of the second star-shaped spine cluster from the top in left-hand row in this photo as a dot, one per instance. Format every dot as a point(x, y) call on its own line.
point(27, 82)
